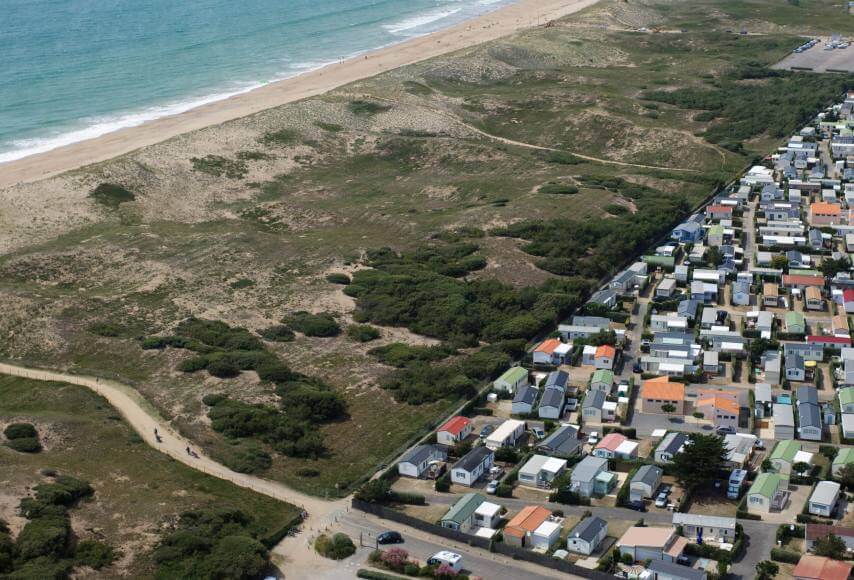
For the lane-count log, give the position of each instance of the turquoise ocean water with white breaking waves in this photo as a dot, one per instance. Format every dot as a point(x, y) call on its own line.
point(76, 69)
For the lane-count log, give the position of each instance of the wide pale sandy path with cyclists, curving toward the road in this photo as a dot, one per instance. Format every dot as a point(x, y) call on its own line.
point(144, 419)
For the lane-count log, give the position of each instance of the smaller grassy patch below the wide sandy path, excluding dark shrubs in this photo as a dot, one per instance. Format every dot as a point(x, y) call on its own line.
point(138, 491)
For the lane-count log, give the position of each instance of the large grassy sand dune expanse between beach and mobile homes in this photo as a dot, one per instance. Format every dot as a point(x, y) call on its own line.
point(242, 222)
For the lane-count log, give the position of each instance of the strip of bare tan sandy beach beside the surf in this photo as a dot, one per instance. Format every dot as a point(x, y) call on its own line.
point(490, 26)
